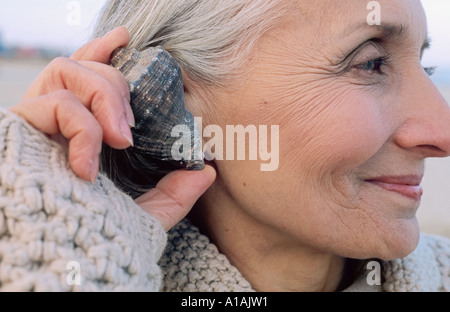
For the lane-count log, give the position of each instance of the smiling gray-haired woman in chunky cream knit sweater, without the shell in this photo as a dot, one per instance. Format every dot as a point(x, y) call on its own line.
point(357, 115)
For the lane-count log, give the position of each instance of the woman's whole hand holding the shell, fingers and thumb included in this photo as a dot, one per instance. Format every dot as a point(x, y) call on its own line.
point(83, 101)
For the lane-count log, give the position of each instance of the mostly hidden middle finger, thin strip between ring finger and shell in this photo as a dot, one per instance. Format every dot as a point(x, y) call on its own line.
point(116, 78)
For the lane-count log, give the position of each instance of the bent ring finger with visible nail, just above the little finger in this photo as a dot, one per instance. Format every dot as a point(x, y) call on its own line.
point(96, 93)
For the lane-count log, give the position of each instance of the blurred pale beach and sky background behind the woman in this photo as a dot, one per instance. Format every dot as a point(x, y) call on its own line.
point(34, 32)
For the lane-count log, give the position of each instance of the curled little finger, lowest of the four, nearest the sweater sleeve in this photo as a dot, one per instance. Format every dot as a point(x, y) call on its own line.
point(61, 112)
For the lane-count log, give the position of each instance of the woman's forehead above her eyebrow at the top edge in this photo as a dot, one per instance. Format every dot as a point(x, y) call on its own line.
point(331, 20)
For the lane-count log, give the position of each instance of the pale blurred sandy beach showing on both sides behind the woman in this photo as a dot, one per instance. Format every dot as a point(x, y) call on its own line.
point(434, 215)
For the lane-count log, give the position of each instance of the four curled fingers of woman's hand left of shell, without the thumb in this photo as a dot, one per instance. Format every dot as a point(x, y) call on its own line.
point(85, 100)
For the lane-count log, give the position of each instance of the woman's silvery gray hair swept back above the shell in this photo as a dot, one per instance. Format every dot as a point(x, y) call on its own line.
point(210, 39)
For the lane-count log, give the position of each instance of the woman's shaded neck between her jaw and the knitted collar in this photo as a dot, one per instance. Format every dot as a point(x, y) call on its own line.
point(268, 258)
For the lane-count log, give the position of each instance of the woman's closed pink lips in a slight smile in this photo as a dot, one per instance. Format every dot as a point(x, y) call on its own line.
point(408, 186)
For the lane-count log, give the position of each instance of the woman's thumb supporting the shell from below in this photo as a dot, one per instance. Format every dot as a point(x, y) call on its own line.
point(176, 194)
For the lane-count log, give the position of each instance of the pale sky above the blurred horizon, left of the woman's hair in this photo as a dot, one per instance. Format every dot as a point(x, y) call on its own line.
point(48, 23)
